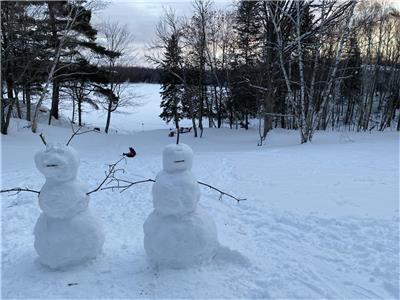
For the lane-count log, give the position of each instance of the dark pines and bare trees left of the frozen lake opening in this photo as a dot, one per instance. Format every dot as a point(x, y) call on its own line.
point(50, 48)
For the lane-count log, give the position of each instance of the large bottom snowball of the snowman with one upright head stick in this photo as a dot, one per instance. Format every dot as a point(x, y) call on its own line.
point(180, 241)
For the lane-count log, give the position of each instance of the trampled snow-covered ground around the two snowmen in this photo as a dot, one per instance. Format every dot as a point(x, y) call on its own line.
point(321, 220)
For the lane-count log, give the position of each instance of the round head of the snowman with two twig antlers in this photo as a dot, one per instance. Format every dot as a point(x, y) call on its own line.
point(58, 162)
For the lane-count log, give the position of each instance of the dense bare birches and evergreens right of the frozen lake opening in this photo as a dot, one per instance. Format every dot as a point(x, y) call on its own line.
point(305, 65)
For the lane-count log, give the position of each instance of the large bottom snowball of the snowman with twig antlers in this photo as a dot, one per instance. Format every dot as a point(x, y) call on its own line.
point(61, 243)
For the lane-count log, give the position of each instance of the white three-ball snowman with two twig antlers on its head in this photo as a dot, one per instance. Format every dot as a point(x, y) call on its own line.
point(66, 233)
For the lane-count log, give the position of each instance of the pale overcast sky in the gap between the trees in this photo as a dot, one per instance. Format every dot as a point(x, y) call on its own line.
point(142, 16)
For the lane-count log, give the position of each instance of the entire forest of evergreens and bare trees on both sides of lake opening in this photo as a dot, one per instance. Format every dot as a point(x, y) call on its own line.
point(301, 65)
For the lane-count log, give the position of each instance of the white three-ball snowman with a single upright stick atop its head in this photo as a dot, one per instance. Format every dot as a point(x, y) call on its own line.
point(178, 233)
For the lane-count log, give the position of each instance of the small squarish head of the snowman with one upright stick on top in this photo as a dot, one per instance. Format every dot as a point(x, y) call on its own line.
point(177, 157)
